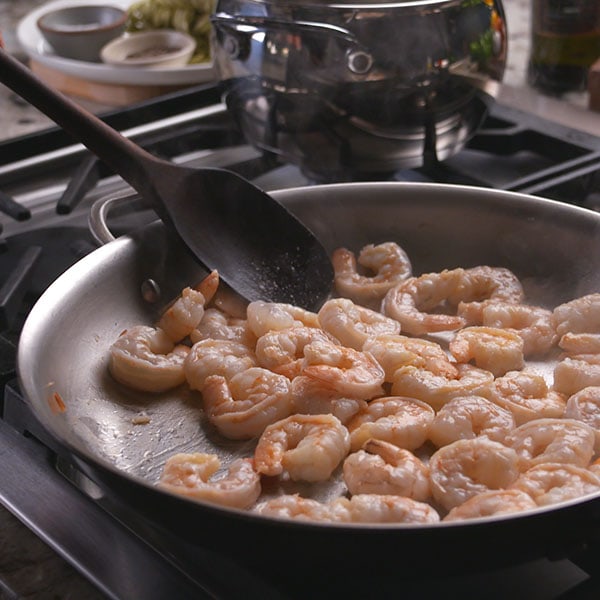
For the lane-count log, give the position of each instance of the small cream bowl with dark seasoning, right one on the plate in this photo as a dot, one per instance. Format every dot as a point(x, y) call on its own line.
point(156, 48)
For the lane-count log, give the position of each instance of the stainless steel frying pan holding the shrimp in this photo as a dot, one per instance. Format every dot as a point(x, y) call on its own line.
point(554, 248)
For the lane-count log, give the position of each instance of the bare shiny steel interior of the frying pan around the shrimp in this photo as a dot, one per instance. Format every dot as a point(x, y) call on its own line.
point(553, 247)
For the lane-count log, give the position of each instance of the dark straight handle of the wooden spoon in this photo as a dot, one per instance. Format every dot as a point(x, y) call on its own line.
point(129, 160)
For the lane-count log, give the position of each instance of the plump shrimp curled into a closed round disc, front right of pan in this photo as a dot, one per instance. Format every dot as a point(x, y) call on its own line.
point(466, 468)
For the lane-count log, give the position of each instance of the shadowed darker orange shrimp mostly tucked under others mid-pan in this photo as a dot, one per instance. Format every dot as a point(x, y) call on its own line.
point(308, 399)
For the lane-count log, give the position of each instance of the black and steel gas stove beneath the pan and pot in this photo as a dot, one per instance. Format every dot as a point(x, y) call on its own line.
point(48, 188)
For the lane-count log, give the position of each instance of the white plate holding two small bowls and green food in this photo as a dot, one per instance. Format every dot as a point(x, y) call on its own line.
point(36, 47)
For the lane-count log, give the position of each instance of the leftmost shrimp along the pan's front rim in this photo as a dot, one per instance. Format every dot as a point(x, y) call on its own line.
point(192, 475)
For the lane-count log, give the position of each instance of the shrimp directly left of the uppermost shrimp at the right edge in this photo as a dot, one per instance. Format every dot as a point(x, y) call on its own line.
point(533, 324)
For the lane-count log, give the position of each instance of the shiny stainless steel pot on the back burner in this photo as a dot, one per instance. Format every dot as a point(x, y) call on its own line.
point(358, 88)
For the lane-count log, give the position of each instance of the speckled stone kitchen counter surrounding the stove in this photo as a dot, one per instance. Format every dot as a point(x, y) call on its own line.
point(28, 567)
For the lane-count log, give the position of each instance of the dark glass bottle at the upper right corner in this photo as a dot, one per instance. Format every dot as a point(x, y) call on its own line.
point(565, 42)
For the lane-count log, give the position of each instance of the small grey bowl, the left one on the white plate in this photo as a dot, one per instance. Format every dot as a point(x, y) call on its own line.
point(80, 32)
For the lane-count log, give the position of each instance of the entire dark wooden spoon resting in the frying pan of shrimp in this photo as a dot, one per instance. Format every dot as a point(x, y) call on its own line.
point(258, 247)
